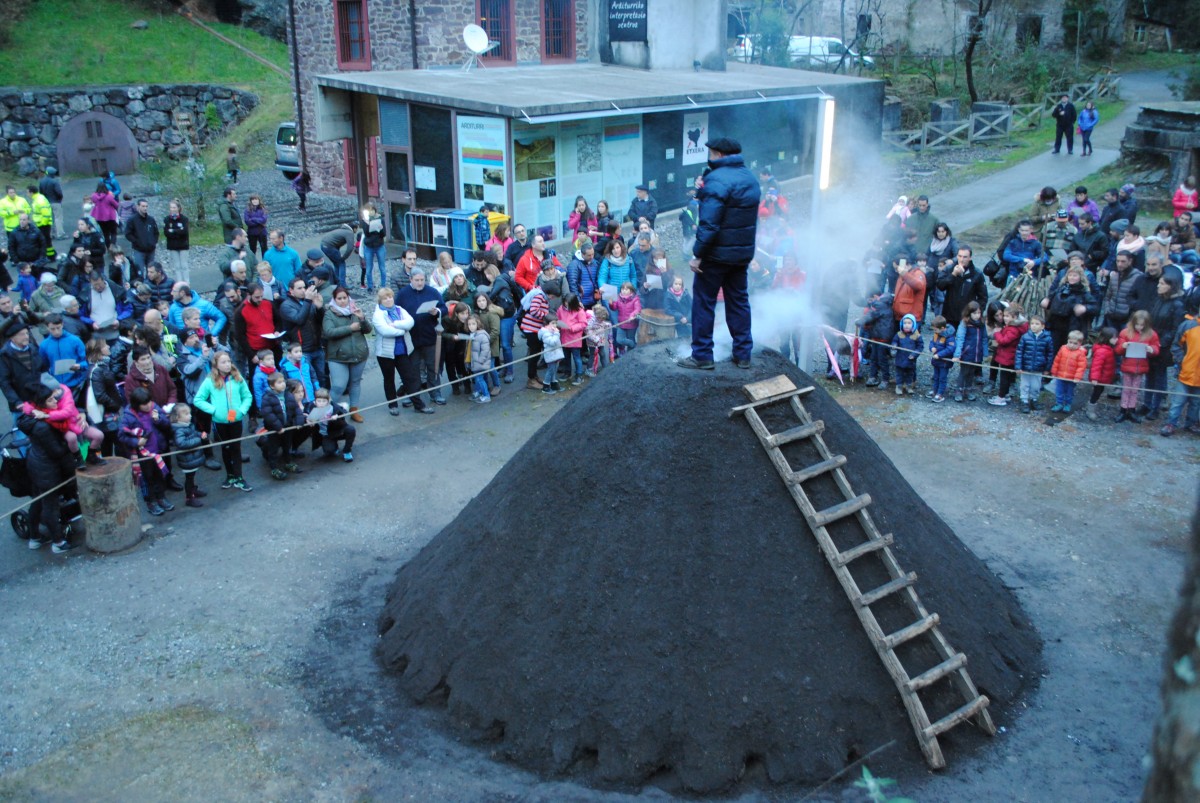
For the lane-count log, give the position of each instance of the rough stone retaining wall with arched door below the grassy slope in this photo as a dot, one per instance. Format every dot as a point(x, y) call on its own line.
point(31, 121)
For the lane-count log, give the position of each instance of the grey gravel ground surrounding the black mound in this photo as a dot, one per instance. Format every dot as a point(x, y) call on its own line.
point(231, 656)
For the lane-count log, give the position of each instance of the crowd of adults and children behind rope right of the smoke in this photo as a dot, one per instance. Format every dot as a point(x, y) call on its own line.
point(1079, 295)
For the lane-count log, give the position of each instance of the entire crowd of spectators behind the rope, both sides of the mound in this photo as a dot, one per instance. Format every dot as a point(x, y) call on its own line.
point(111, 351)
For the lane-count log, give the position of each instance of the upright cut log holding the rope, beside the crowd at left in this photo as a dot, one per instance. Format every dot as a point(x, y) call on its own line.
point(109, 501)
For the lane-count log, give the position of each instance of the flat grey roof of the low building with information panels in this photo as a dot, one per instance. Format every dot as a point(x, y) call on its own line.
point(538, 92)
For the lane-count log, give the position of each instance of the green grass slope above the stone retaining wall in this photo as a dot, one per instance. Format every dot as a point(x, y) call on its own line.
point(65, 43)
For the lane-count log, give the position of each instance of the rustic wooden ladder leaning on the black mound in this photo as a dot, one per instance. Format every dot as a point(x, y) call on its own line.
point(878, 547)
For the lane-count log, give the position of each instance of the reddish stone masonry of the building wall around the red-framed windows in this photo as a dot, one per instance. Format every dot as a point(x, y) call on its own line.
point(440, 44)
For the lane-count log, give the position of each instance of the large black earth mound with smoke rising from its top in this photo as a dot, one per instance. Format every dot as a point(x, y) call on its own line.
point(635, 595)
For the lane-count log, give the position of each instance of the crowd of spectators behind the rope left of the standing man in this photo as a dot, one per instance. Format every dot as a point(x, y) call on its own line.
point(111, 351)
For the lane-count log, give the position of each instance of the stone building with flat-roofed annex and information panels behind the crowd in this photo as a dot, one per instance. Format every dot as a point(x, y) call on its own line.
point(574, 98)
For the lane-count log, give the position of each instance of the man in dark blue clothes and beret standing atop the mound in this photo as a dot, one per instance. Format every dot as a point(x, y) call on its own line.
point(725, 244)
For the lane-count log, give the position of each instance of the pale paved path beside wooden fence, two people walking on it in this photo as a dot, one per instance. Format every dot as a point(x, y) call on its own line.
point(1013, 189)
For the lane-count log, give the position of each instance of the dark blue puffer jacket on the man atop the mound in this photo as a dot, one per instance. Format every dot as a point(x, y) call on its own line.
point(729, 214)
